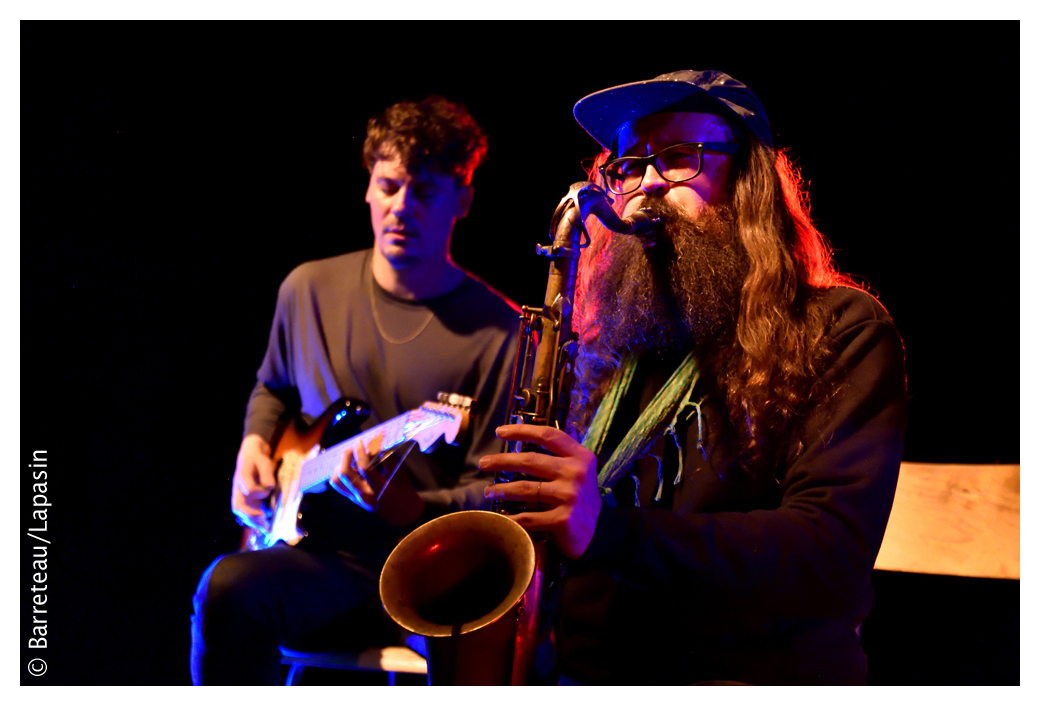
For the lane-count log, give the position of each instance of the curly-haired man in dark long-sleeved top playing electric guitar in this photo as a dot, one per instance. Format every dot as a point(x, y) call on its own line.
point(389, 329)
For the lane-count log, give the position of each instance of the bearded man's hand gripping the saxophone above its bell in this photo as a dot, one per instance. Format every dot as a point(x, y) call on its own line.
point(569, 487)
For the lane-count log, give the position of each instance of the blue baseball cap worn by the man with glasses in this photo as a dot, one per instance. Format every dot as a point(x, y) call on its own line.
point(603, 114)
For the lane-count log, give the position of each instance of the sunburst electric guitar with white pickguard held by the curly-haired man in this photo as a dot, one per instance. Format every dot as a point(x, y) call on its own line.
point(306, 457)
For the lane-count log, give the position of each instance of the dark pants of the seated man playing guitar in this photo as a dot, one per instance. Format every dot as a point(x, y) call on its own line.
point(306, 599)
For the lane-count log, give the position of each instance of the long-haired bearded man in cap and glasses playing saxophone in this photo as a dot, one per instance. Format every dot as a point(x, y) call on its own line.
point(739, 535)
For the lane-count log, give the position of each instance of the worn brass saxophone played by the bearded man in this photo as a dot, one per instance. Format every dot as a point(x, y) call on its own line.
point(474, 583)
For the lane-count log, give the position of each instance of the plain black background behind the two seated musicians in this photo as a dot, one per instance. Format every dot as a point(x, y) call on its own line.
point(172, 174)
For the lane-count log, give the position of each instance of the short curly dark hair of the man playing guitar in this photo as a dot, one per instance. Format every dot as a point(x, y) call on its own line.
point(433, 134)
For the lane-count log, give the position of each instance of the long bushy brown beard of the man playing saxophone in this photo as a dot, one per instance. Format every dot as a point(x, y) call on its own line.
point(681, 295)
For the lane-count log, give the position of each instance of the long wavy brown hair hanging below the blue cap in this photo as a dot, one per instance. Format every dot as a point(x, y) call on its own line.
point(768, 369)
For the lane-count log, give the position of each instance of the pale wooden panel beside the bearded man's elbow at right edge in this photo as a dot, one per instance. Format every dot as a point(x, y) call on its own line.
point(956, 520)
